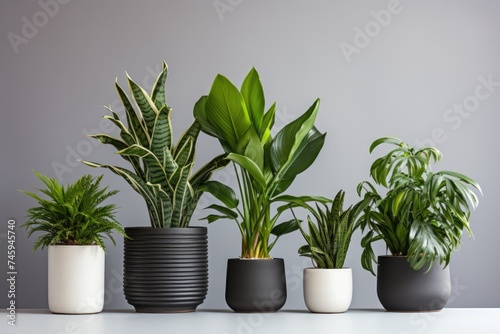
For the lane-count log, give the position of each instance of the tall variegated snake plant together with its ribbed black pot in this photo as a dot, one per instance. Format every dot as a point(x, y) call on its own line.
point(166, 264)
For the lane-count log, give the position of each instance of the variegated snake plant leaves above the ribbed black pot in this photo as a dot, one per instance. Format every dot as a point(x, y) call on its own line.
point(162, 172)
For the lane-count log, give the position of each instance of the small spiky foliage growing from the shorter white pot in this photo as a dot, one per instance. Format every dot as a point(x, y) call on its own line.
point(329, 237)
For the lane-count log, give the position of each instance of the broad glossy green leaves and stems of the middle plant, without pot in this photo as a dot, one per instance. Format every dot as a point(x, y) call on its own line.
point(265, 165)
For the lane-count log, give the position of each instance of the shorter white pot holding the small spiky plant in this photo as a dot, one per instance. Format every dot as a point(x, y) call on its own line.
point(328, 290)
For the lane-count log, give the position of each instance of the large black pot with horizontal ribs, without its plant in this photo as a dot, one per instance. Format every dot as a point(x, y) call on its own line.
point(165, 269)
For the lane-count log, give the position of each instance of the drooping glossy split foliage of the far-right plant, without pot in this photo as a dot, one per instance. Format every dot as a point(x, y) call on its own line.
point(422, 214)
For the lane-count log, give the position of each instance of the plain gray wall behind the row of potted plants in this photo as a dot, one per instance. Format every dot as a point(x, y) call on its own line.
point(419, 75)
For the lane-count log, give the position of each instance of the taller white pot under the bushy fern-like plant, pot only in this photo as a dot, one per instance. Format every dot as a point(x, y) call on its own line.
point(76, 279)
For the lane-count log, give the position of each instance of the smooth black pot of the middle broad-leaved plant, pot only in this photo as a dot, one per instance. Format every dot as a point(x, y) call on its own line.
point(255, 285)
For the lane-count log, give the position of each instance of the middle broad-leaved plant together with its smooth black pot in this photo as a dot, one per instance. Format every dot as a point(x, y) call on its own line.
point(265, 167)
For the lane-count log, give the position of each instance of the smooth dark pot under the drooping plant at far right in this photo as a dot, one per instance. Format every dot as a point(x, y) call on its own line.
point(401, 288)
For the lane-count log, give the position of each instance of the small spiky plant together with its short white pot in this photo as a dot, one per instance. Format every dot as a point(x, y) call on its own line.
point(328, 285)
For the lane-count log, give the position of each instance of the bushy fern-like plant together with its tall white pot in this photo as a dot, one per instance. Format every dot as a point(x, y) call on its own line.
point(74, 226)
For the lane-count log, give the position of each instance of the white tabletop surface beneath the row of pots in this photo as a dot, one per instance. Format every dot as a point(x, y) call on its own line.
point(448, 321)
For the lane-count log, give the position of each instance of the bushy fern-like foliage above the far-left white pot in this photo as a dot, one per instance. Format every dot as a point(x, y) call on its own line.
point(72, 215)
